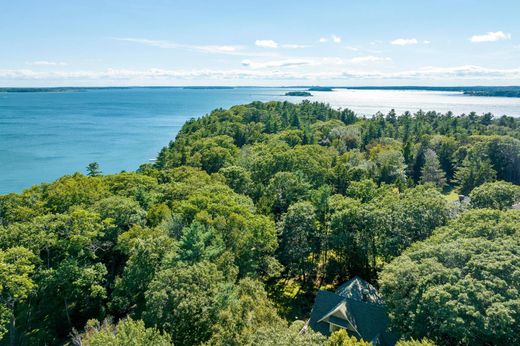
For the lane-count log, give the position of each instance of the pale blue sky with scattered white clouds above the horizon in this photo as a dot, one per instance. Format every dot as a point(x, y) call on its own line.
point(264, 43)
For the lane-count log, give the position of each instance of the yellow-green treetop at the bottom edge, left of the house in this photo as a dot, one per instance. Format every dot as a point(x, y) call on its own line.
point(125, 333)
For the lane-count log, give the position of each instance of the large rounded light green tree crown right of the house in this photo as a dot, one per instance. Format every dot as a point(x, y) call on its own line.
point(460, 286)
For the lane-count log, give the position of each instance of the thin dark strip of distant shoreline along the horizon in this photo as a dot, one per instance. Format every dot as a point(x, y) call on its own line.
point(496, 91)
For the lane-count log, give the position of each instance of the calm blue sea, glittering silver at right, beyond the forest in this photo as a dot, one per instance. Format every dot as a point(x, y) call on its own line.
point(46, 135)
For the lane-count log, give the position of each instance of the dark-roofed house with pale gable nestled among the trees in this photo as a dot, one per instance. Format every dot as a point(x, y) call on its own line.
point(355, 306)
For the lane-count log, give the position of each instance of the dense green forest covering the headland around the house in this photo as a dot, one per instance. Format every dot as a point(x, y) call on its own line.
point(227, 236)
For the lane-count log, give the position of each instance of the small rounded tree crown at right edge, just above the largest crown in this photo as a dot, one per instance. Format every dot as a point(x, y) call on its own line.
point(496, 195)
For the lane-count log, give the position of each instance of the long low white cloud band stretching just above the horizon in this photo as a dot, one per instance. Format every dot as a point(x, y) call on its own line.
point(465, 72)
